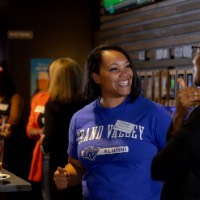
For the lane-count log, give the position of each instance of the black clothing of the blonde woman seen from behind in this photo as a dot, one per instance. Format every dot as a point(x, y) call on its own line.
point(55, 142)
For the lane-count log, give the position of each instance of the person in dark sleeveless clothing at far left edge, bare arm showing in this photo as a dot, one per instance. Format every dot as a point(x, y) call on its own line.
point(11, 107)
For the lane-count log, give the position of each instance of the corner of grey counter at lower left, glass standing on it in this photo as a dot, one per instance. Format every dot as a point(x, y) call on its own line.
point(13, 183)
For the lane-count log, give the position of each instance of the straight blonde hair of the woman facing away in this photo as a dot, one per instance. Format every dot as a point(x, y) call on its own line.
point(65, 80)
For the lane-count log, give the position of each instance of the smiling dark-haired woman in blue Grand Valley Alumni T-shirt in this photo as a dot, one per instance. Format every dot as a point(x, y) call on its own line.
point(113, 139)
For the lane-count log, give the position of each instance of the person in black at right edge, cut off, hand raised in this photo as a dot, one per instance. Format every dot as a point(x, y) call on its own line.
point(178, 163)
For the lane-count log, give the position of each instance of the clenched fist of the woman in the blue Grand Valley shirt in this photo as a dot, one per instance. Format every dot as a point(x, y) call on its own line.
point(61, 178)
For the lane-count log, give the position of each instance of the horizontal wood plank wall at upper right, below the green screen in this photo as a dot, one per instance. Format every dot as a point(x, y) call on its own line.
point(169, 26)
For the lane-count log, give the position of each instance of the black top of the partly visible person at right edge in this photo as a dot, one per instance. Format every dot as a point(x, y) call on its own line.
point(178, 164)
